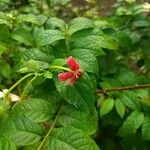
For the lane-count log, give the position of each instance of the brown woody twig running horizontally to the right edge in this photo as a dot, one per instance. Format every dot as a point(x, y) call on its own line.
point(123, 88)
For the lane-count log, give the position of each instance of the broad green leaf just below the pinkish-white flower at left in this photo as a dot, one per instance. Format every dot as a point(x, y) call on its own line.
point(37, 110)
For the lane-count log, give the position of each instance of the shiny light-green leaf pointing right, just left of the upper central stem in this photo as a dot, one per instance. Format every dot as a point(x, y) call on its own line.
point(48, 37)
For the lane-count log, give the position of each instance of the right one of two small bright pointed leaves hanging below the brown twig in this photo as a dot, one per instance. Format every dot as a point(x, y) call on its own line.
point(120, 107)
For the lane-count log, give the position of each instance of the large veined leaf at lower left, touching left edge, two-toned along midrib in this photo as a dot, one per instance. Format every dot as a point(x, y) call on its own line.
point(20, 130)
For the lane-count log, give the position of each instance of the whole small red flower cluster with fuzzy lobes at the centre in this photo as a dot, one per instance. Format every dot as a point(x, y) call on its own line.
point(72, 75)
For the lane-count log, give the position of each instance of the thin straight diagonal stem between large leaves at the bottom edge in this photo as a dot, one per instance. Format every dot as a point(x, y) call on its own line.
point(50, 130)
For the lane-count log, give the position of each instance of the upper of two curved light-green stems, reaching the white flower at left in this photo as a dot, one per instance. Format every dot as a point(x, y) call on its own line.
point(14, 85)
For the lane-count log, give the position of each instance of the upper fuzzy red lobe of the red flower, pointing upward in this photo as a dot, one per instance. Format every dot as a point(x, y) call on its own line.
point(72, 64)
